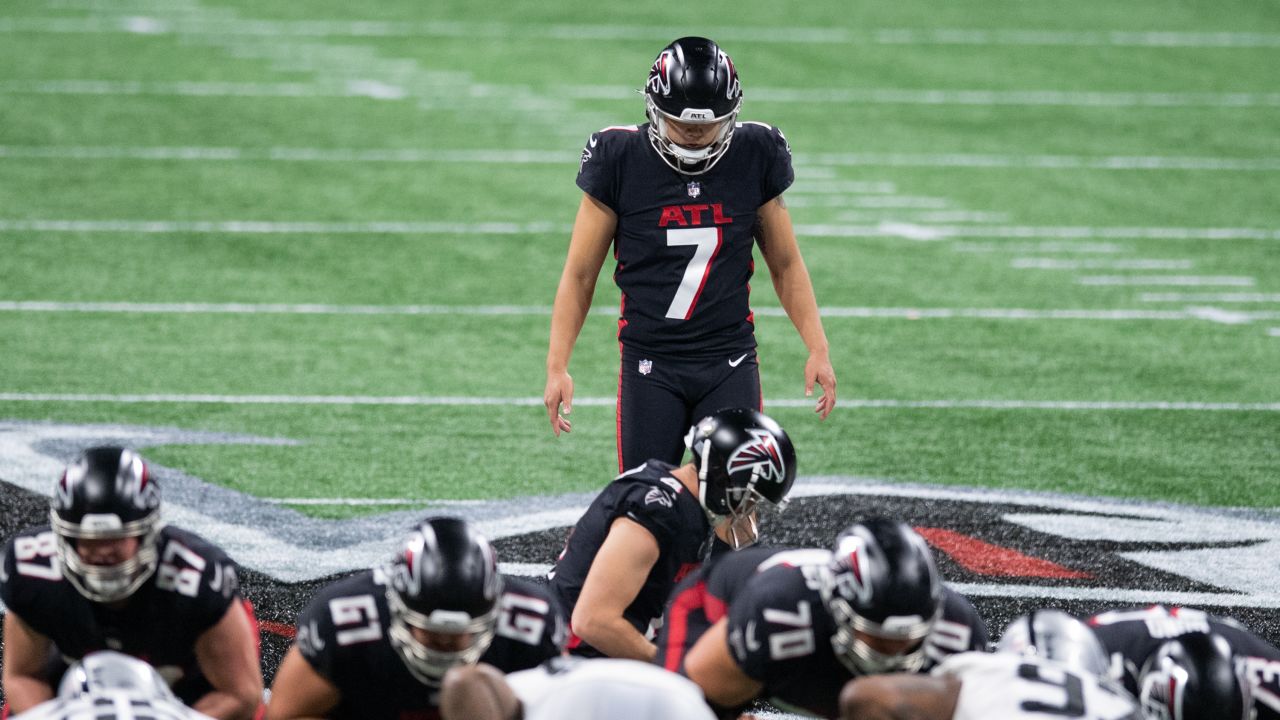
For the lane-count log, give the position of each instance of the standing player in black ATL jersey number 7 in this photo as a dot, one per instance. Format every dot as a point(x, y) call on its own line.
point(683, 199)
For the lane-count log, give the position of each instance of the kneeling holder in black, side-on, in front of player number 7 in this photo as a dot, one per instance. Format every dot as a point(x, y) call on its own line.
point(655, 525)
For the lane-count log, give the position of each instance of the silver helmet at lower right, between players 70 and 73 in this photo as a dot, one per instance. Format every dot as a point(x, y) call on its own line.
point(1057, 636)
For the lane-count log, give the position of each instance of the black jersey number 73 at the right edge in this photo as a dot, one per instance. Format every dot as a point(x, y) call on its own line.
point(1133, 635)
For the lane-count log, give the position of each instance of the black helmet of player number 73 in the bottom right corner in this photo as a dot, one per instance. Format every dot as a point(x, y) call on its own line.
point(1195, 677)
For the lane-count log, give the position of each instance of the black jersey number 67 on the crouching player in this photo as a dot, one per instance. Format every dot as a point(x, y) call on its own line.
point(344, 635)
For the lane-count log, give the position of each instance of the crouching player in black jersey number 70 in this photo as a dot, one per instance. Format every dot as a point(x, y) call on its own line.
point(803, 626)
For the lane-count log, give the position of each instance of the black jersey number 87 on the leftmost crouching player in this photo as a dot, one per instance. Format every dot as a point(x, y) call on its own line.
point(188, 595)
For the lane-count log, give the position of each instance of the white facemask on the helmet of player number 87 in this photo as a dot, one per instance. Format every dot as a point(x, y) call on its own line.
point(107, 584)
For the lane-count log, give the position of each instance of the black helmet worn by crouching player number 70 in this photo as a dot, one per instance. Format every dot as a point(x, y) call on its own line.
point(881, 581)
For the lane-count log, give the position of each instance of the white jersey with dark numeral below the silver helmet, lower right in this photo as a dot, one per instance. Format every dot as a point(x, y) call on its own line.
point(1002, 686)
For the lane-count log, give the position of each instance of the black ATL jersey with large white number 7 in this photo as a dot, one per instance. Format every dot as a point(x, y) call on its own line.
point(684, 243)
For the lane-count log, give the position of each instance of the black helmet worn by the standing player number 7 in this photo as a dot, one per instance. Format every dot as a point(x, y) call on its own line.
point(693, 81)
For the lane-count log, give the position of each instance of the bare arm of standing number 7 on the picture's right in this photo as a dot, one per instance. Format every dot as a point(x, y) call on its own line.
point(778, 241)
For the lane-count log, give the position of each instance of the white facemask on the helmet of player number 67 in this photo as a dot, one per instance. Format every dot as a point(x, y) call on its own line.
point(427, 664)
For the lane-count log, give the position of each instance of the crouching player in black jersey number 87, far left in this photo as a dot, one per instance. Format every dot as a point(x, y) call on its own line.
point(109, 575)
